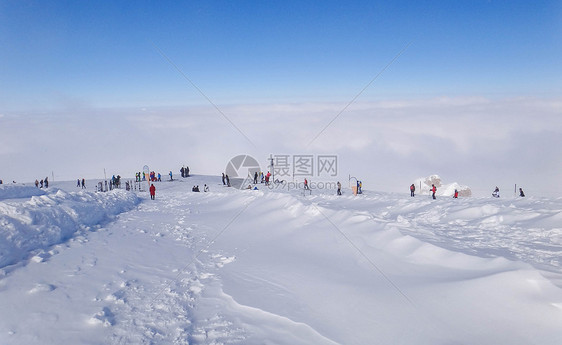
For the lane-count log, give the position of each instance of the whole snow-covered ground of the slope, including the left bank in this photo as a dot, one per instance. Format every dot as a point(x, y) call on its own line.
point(276, 267)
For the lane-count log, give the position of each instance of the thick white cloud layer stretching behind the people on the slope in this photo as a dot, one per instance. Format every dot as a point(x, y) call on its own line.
point(472, 139)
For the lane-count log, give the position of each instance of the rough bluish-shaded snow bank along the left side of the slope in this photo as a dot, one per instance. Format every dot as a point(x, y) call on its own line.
point(52, 218)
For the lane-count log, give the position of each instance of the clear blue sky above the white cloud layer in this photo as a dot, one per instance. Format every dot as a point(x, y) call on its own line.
point(102, 53)
